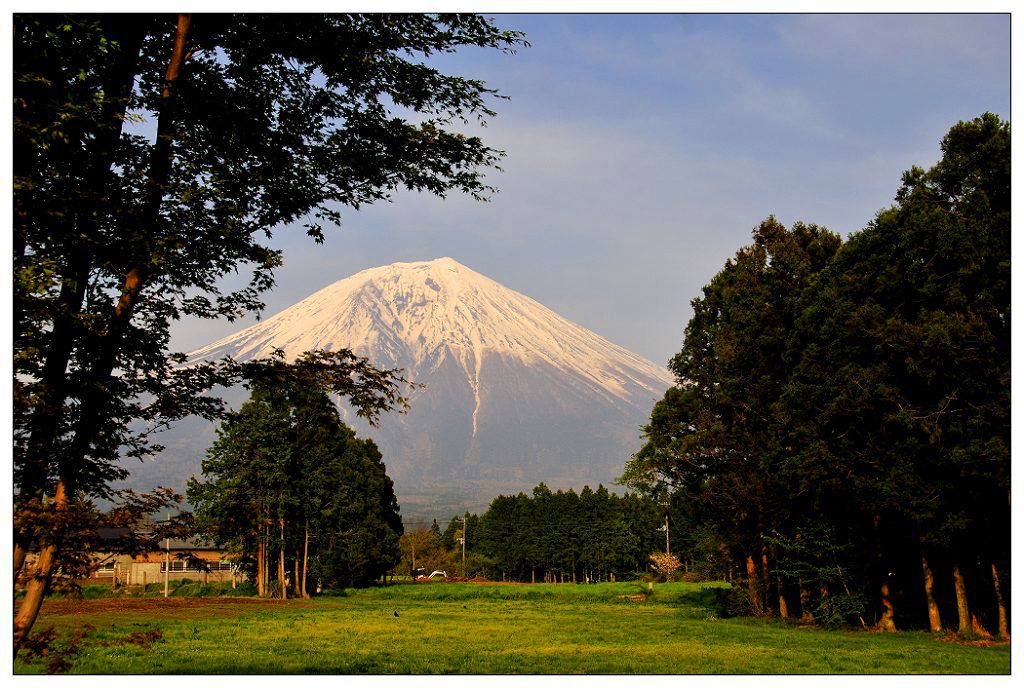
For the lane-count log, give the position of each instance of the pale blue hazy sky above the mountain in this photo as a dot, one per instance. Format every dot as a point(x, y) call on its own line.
point(643, 151)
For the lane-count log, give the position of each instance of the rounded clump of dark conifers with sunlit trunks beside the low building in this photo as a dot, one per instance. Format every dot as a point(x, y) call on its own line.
point(290, 489)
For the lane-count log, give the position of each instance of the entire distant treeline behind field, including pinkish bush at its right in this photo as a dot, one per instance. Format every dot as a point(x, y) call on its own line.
point(569, 537)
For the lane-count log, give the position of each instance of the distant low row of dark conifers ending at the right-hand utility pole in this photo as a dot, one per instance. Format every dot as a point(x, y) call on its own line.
point(561, 537)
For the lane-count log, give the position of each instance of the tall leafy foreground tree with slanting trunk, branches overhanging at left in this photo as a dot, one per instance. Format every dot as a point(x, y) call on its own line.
point(255, 122)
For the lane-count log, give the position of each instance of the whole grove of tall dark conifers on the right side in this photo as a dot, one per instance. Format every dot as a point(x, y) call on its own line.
point(842, 418)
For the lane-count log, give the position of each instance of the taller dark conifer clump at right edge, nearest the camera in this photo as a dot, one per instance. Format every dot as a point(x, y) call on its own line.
point(903, 390)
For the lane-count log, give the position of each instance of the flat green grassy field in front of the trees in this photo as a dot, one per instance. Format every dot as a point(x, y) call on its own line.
point(483, 629)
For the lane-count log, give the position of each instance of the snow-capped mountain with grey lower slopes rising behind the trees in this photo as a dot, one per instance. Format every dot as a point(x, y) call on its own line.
point(514, 394)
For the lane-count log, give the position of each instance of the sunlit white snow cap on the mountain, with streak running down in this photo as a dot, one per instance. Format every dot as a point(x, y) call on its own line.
point(416, 315)
